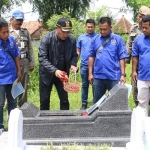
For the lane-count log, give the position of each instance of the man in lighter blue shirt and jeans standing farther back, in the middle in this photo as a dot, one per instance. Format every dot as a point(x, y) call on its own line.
point(83, 45)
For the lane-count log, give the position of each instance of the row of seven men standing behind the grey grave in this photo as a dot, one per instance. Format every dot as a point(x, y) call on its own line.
point(103, 60)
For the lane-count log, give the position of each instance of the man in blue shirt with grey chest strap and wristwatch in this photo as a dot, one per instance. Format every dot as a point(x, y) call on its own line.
point(107, 55)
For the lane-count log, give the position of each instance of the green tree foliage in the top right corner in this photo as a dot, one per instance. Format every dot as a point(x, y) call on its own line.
point(135, 5)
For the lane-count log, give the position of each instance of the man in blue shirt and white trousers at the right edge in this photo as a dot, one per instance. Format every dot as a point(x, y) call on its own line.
point(141, 58)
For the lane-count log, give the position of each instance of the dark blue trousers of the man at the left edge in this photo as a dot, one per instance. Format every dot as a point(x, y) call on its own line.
point(5, 92)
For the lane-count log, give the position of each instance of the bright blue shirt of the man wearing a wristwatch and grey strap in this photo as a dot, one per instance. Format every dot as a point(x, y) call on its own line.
point(107, 61)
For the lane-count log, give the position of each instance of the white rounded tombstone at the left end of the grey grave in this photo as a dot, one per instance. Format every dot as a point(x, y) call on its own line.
point(15, 129)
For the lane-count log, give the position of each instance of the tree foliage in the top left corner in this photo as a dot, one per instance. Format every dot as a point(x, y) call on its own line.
point(6, 5)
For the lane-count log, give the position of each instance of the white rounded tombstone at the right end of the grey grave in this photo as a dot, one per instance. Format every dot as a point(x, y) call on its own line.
point(137, 130)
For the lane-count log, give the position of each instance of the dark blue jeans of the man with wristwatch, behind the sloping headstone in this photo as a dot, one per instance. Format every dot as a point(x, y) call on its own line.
point(100, 86)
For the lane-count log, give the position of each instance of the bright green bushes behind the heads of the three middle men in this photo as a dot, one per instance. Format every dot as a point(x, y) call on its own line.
point(79, 24)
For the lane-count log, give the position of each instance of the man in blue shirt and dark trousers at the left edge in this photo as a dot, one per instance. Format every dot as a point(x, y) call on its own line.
point(9, 69)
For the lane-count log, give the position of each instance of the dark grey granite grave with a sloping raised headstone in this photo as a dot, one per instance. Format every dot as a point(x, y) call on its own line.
point(110, 123)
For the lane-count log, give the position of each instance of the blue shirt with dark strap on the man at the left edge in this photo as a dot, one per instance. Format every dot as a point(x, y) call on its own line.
point(8, 70)
